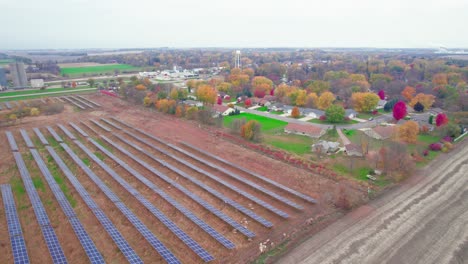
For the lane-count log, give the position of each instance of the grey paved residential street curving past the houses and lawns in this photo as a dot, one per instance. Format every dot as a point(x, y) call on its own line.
point(377, 120)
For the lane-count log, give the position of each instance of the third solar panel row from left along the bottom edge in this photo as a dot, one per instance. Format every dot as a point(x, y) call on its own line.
point(88, 245)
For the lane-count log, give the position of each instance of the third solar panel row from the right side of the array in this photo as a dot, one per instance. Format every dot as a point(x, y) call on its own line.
point(212, 191)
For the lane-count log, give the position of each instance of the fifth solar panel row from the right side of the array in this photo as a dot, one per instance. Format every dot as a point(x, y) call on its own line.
point(208, 229)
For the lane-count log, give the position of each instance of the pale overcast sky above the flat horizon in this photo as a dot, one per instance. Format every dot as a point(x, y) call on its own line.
point(66, 24)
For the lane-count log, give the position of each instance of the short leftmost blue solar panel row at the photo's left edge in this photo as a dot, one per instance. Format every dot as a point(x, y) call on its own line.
point(18, 246)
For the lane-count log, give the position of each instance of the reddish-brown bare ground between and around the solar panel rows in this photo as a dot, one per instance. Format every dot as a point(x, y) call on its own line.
point(311, 219)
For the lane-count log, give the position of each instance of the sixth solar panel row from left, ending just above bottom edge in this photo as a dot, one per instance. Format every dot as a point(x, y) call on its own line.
point(176, 230)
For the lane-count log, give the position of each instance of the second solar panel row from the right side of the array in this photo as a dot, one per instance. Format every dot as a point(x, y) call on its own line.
point(215, 178)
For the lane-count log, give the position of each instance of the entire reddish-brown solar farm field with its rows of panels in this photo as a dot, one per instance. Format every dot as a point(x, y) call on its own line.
point(118, 184)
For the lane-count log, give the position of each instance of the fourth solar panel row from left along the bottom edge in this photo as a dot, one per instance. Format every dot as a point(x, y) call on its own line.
point(118, 239)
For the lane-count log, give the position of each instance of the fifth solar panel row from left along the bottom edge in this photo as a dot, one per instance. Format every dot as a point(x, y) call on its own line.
point(136, 222)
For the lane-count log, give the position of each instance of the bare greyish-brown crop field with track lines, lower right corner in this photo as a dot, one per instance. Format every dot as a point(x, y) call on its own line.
point(424, 221)
